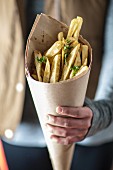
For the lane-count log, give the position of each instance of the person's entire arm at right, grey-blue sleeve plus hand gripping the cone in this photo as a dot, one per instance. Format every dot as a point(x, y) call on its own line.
point(95, 115)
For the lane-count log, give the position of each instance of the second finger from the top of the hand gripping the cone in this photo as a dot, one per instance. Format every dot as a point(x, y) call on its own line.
point(69, 122)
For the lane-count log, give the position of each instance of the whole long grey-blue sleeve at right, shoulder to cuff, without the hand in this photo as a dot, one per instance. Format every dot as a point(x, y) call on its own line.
point(103, 104)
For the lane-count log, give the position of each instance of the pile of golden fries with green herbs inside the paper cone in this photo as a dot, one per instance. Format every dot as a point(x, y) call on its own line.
point(65, 59)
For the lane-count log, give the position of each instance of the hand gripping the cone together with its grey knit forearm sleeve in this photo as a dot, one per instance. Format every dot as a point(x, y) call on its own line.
point(80, 121)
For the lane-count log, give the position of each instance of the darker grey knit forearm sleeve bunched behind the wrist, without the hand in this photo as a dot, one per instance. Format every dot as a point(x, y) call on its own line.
point(102, 114)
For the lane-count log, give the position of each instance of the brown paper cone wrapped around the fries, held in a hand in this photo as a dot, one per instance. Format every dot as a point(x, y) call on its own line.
point(48, 96)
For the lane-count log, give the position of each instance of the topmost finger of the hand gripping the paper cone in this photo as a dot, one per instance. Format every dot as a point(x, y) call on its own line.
point(77, 112)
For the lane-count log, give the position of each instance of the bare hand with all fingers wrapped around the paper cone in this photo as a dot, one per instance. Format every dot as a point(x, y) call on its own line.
point(71, 128)
